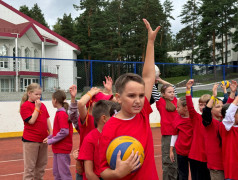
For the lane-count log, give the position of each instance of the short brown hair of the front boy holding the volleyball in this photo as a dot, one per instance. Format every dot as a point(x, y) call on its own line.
point(124, 79)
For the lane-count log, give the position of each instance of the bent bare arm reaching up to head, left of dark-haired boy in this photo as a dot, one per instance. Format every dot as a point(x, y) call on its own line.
point(84, 100)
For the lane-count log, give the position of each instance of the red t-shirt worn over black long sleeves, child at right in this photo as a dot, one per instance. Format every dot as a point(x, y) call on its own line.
point(213, 146)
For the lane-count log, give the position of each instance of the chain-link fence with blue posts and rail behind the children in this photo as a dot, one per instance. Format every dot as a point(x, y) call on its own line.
point(55, 74)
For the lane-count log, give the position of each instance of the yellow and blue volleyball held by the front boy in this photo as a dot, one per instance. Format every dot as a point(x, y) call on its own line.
point(126, 144)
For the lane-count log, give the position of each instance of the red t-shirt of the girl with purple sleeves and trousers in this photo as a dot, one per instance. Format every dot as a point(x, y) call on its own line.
point(64, 146)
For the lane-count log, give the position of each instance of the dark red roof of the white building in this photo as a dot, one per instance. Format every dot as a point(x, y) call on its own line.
point(11, 30)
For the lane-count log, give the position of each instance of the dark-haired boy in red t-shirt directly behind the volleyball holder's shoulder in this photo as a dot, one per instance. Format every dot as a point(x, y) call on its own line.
point(89, 152)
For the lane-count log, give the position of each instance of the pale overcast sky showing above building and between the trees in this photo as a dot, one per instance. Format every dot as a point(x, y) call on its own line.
point(52, 9)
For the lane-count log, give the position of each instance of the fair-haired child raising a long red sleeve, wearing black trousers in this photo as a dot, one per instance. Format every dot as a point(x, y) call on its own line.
point(197, 154)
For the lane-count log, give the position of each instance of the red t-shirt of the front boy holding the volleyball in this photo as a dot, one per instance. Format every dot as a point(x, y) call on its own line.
point(139, 128)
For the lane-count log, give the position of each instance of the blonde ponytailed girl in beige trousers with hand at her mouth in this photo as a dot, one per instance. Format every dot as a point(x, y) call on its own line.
point(36, 128)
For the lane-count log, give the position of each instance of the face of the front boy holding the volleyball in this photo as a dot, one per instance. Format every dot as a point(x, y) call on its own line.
point(132, 98)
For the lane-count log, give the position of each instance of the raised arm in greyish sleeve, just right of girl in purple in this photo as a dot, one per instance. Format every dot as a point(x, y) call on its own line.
point(73, 109)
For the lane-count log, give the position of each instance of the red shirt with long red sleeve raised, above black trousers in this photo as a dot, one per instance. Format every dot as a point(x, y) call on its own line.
point(197, 150)
